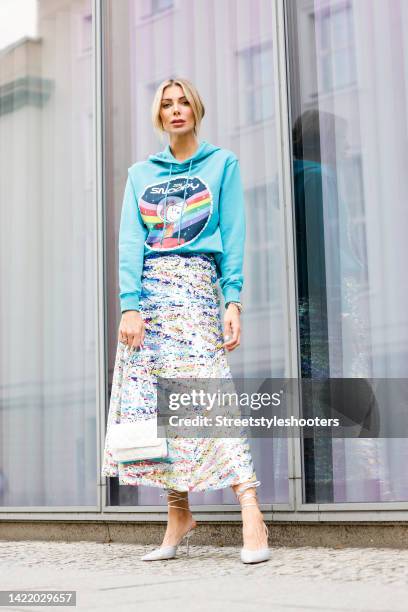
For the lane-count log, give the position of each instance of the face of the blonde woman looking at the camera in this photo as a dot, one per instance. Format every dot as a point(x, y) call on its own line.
point(175, 111)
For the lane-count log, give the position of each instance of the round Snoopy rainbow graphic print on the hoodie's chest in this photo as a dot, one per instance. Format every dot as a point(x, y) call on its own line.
point(175, 211)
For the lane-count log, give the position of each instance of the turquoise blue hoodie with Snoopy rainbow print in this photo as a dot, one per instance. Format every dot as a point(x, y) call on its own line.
point(195, 205)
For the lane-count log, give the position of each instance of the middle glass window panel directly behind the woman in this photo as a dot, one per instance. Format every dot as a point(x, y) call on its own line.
point(224, 61)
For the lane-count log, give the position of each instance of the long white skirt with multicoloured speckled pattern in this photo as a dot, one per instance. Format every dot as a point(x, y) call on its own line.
point(183, 338)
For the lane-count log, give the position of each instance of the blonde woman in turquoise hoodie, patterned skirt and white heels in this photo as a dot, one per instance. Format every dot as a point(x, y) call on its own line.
point(182, 228)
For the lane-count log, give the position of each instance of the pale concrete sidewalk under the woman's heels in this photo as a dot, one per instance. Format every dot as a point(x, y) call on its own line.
point(111, 577)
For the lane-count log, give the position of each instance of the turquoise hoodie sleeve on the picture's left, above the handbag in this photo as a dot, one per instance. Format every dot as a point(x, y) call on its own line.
point(132, 235)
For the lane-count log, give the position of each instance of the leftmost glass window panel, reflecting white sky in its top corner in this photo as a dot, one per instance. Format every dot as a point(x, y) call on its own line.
point(48, 268)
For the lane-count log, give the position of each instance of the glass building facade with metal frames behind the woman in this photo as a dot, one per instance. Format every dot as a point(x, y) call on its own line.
point(304, 92)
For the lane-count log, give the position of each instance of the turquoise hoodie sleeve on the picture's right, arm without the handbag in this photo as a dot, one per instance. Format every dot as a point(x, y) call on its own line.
point(233, 229)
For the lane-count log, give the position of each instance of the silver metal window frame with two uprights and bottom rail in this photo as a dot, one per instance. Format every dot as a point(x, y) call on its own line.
point(295, 509)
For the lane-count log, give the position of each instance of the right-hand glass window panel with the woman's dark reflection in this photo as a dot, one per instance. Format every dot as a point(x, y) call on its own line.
point(350, 190)
